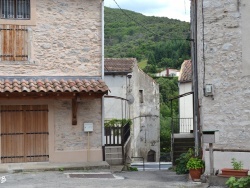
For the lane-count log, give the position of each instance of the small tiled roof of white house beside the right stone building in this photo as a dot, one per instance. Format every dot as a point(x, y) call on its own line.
point(186, 71)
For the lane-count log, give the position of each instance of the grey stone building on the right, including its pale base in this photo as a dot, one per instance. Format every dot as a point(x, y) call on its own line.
point(220, 33)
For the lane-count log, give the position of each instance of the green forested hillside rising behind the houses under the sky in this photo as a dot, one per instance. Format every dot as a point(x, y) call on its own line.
point(161, 41)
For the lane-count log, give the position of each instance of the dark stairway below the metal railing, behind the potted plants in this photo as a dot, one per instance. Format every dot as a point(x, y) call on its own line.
point(182, 142)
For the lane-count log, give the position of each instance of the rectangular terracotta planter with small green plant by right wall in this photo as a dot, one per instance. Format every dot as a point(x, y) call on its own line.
point(236, 171)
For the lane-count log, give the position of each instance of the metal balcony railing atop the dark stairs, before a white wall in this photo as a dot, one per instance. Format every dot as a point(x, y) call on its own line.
point(182, 125)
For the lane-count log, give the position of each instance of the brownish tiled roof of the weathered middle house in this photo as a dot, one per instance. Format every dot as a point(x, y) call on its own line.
point(119, 64)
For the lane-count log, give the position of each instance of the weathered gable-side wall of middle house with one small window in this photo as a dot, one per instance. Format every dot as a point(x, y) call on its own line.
point(145, 116)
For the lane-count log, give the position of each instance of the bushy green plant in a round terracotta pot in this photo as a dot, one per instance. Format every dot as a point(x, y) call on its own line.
point(195, 166)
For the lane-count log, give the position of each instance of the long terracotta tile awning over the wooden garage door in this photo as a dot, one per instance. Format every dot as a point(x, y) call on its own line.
point(53, 86)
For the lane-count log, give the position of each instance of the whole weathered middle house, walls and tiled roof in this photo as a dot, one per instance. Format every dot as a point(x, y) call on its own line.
point(141, 105)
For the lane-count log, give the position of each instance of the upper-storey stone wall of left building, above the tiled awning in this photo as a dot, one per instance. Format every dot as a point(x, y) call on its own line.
point(65, 41)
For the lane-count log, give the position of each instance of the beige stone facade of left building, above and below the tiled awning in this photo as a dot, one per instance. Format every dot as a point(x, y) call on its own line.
point(65, 41)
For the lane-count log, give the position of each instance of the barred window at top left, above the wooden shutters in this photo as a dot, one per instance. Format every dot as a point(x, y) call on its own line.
point(15, 9)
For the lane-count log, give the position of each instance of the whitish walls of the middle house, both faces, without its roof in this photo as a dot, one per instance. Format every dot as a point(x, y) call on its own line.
point(145, 130)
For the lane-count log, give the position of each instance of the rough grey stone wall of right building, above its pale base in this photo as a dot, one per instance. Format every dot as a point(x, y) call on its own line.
point(222, 65)
